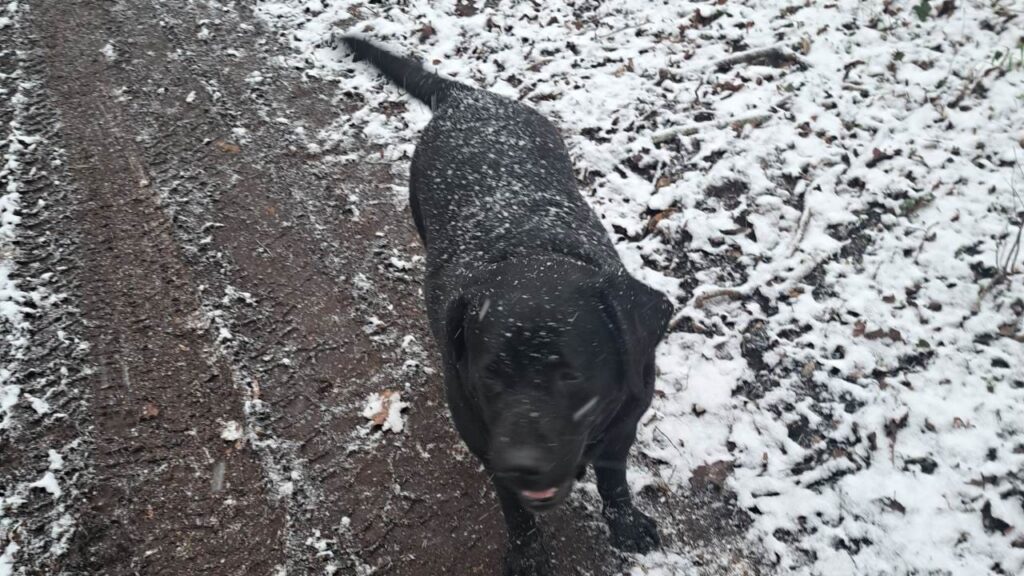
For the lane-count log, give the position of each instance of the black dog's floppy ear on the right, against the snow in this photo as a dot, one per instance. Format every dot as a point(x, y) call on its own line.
point(639, 317)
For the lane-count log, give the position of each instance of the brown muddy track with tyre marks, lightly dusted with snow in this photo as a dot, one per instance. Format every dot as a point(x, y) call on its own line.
point(216, 275)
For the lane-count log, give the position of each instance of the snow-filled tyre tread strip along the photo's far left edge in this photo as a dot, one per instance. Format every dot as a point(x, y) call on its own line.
point(45, 433)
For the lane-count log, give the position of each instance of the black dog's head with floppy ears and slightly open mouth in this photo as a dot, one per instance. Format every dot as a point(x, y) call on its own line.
point(548, 358)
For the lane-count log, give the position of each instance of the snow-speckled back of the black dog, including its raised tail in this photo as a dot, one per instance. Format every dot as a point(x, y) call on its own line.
point(491, 179)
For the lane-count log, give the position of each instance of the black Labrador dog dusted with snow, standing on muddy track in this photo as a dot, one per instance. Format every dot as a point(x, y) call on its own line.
point(548, 343)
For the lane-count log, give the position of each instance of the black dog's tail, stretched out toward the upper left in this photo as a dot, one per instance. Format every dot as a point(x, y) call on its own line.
point(407, 73)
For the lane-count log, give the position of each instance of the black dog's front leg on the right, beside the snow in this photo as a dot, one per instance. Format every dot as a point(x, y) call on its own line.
point(631, 530)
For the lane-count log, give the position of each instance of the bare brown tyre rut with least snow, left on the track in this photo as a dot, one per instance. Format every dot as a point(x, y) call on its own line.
point(159, 395)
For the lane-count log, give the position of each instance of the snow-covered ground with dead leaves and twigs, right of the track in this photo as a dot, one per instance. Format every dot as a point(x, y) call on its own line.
point(831, 193)
